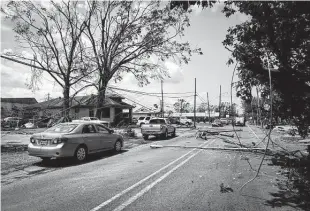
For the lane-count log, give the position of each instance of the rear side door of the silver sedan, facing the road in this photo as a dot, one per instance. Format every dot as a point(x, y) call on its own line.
point(91, 138)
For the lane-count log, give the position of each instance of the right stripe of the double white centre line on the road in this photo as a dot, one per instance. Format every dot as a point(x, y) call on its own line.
point(147, 188)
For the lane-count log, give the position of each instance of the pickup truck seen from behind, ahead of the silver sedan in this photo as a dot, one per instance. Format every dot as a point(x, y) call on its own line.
point(159, 127)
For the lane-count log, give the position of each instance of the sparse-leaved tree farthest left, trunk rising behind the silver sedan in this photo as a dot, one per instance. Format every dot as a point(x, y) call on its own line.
point(51, 34)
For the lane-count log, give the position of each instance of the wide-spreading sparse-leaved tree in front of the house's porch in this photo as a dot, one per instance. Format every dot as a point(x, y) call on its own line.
point(135, 37)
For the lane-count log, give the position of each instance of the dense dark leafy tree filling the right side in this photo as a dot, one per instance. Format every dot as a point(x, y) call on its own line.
point(283, 42)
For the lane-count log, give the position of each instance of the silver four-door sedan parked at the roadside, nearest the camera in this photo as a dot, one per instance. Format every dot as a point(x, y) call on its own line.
point(76, 140)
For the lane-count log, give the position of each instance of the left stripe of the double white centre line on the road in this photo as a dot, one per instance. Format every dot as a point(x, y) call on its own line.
point(141, 181)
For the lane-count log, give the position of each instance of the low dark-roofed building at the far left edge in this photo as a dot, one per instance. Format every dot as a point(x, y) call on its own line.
point(15, 106)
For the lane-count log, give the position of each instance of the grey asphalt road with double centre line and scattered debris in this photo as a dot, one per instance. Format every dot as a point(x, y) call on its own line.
point(168, 178)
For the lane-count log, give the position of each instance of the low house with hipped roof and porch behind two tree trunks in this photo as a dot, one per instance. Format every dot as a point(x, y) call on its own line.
point(82, 106)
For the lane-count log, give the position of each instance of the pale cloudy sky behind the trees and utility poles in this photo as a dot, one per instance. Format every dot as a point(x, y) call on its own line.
point(207, 31)
